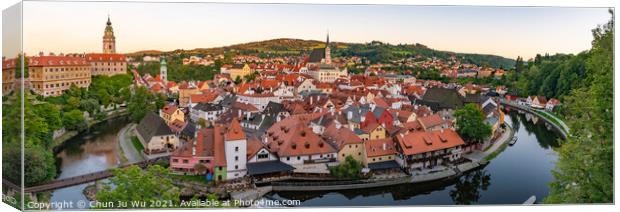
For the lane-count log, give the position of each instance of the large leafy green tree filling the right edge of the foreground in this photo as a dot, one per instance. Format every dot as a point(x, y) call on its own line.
point(584, 172)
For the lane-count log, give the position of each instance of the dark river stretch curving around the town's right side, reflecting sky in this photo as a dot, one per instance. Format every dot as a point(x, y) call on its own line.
point(520, 171)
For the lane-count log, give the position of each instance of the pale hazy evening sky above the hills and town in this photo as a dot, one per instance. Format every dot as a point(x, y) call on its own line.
point(506, 31)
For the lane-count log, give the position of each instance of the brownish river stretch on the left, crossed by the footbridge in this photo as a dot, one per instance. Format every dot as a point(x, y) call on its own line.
point(90, 151)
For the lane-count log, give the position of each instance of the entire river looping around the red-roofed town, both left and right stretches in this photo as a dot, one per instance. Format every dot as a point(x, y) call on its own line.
point(519, 172)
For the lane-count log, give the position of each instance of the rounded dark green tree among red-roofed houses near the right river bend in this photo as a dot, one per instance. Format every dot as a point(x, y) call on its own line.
point(470, 124)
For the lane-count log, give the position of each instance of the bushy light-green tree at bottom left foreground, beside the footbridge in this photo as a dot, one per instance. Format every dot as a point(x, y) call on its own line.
point(133, 184)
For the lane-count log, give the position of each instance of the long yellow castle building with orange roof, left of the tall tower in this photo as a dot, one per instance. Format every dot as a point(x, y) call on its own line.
point(51, 75)
